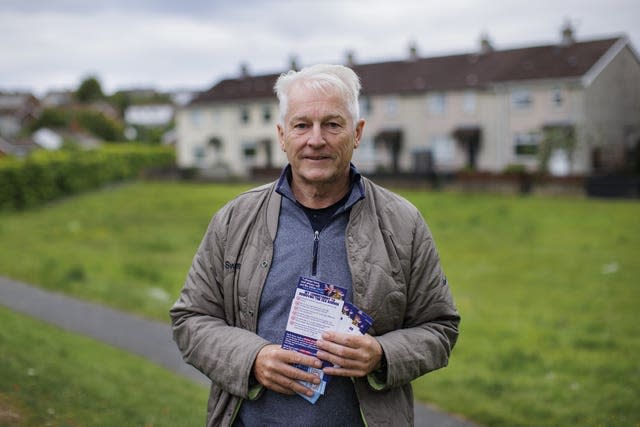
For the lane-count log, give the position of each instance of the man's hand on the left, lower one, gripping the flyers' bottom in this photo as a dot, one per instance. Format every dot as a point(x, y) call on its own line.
point(273, 369)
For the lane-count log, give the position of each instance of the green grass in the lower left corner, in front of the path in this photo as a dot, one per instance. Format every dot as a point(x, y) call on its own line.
point(49, 377)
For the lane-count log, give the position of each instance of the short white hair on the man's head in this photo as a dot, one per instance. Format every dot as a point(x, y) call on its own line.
point(324, 78)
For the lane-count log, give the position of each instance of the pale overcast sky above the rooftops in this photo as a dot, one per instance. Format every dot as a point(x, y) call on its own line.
point(192, 44)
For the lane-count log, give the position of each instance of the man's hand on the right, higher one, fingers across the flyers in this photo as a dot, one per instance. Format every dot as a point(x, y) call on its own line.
point(356, 355)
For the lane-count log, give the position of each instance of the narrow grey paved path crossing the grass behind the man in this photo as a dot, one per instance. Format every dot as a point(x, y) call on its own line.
point(149, 339)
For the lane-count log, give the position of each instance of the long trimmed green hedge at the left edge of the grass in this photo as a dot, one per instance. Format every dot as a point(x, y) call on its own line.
point(48, 175)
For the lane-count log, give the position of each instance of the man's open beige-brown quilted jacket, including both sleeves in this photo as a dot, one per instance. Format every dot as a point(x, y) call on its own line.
point(397, 279)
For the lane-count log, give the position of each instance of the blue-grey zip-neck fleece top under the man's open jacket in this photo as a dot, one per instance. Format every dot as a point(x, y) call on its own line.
point(294, 255)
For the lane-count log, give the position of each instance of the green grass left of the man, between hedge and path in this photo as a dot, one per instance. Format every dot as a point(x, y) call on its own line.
point(128, 246)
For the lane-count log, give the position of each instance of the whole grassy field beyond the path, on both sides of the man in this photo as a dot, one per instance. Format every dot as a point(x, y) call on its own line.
point(546, 287)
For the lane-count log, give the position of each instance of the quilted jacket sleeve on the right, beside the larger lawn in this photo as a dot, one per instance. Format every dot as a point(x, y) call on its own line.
point(430, 323)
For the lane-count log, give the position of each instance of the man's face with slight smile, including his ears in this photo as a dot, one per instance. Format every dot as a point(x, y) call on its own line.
point(318, 136)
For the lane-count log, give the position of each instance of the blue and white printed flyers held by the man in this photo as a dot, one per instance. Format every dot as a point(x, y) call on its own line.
point(318, 307)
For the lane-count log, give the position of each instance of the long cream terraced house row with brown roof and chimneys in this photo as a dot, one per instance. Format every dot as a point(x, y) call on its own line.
point(570, 107)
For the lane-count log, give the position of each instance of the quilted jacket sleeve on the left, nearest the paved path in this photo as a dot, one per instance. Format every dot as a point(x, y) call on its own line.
point(203, 318)
